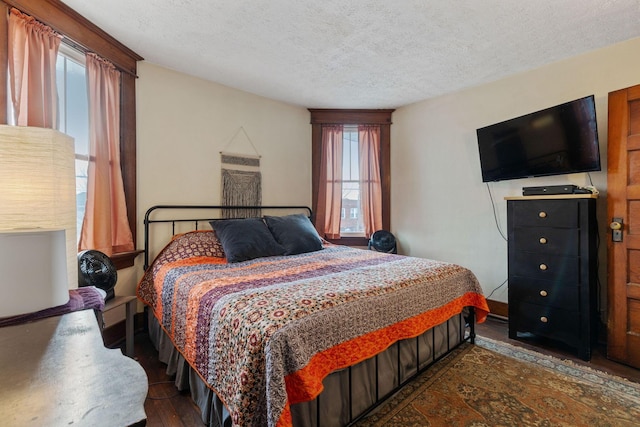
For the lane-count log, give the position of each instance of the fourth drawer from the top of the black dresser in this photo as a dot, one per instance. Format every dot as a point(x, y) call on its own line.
point(543, 292)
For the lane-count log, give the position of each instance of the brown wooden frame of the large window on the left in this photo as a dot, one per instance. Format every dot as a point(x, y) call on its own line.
point(84, 35)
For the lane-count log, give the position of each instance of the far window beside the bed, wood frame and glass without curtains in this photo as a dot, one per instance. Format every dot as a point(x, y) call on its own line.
point(351, 228)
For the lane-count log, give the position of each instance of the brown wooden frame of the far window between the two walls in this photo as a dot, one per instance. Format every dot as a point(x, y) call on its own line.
point(382, 117)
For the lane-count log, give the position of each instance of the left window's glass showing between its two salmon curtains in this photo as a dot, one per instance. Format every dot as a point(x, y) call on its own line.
point(73, 113)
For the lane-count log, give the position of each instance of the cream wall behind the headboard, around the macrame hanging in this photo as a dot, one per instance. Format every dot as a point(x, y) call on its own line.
point(182, 125)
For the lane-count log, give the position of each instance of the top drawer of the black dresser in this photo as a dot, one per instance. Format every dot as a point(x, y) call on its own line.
point(544, 213)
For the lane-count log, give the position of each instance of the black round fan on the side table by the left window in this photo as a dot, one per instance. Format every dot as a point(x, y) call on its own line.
point(96, 269)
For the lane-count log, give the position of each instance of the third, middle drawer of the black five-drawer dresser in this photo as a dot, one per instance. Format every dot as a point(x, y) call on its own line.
point(553, 268)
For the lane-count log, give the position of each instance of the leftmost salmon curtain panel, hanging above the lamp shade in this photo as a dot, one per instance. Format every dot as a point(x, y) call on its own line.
point(33, 48)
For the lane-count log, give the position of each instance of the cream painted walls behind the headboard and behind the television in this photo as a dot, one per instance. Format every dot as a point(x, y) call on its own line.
point(440, 207)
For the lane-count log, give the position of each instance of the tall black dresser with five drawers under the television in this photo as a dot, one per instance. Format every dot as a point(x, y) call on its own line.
point(553, 269)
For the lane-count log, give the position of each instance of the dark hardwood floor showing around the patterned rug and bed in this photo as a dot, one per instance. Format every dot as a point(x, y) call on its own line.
point(165, 406)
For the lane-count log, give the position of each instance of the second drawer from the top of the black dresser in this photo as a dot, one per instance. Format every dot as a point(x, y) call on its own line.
point(563, 241)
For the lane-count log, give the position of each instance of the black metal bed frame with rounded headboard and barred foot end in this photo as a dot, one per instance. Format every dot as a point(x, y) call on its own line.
point(466, 327)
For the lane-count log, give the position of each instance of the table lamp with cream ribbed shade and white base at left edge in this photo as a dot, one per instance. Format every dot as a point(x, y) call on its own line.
point(37, 219)
